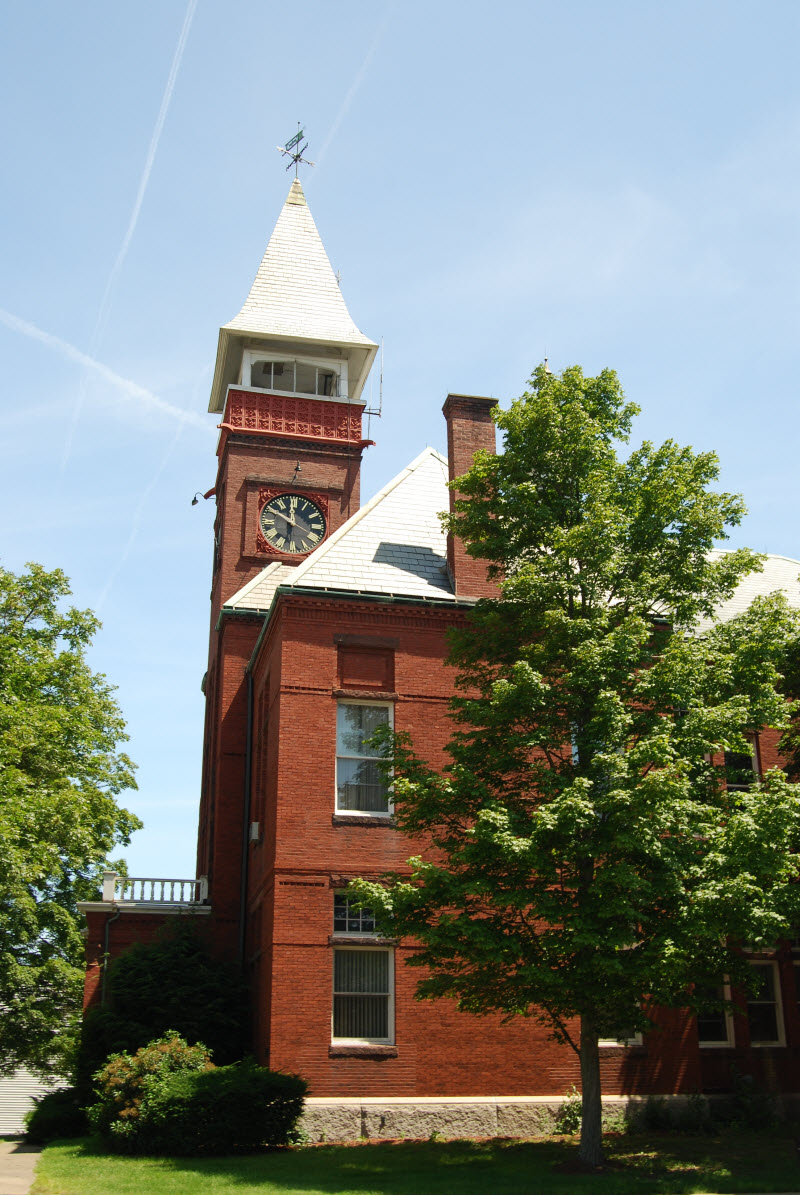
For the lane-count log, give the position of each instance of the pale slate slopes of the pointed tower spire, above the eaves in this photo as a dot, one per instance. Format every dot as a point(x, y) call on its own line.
point(296, 293)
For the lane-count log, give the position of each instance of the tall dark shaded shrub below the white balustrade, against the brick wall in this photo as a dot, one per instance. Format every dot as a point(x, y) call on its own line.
point(173, 984)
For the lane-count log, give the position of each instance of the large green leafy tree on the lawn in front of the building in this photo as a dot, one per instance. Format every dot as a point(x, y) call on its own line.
point(588, 862)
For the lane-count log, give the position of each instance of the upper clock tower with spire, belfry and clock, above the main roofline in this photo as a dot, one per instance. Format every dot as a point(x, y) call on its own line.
point(289, 387)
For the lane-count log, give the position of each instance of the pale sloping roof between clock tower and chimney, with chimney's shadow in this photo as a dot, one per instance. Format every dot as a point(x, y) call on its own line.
point(393, 547)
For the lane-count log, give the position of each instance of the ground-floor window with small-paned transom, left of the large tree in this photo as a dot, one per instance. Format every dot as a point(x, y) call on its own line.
point(364, 980)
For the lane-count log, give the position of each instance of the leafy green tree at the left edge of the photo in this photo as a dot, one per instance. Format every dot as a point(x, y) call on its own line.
point(60, 774)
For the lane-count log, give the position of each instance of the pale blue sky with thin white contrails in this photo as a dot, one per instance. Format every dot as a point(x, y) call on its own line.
point(612, 185)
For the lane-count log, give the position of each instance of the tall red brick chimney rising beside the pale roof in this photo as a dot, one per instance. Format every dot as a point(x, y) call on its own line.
point(469, 430)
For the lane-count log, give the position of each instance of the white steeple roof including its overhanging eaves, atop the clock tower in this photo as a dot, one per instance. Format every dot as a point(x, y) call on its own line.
point(295, 304)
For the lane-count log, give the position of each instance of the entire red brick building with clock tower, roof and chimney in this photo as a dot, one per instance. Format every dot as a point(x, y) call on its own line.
point(329, 618)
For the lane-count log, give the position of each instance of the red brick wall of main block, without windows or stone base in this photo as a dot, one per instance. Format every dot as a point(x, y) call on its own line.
point(306, 854)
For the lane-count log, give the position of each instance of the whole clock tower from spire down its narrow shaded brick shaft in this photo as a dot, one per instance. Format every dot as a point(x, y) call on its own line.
point(288, 390)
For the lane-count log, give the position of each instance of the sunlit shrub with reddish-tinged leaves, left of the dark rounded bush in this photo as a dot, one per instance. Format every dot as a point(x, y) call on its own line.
point(121, 1084)
